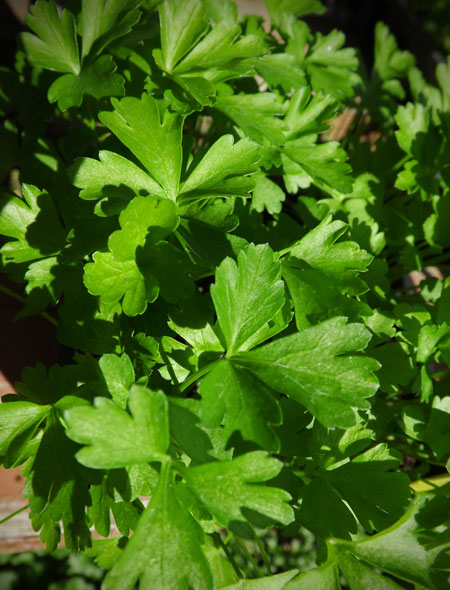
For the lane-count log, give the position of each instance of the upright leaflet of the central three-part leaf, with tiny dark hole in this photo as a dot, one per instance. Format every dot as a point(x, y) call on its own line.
point(247, 297)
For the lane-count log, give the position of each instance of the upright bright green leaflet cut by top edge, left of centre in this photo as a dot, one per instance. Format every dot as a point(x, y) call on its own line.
point(183, 23)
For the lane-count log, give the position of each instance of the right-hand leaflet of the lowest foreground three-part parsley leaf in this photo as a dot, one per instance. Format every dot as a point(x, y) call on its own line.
point(227, 489)
